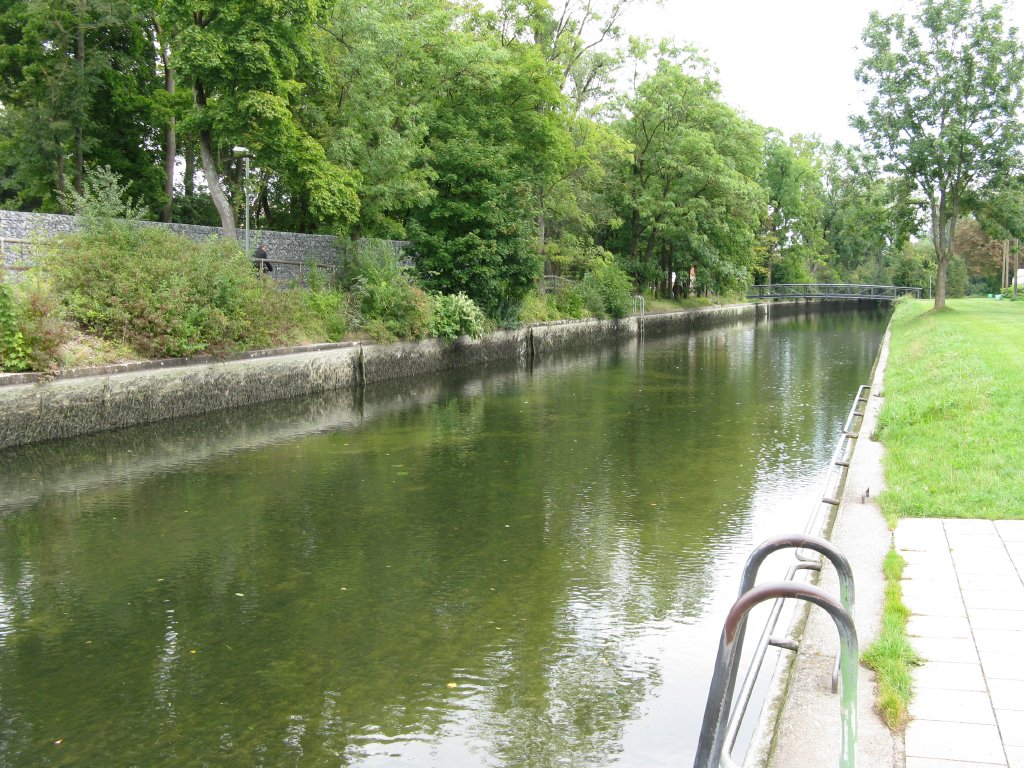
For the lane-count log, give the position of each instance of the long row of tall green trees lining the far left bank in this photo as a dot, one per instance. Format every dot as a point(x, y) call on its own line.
point(504, 144)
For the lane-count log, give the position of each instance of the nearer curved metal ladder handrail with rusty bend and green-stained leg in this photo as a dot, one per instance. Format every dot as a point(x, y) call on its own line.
point(713, 733)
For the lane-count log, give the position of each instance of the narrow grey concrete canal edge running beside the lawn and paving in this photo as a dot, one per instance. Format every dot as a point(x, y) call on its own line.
point(800, 726)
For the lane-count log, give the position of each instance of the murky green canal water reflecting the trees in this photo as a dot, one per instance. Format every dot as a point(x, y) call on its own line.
point(510, 568)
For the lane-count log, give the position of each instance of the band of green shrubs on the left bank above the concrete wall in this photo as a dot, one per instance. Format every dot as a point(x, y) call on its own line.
point(118, 291)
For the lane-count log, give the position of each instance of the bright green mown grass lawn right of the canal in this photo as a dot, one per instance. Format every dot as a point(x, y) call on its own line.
point(953, 424)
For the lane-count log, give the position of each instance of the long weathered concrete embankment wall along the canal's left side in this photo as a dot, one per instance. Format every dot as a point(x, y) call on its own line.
point(34, 409)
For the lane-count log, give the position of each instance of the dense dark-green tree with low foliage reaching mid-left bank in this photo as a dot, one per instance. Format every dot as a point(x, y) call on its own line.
point(497, 133)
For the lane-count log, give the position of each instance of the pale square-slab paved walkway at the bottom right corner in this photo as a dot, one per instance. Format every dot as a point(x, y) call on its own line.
point(964, 585)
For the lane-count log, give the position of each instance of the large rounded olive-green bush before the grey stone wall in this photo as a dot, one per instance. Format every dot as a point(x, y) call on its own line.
point(164, 295)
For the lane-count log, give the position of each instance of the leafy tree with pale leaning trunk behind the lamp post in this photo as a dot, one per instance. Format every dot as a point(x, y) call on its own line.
point(248, 63)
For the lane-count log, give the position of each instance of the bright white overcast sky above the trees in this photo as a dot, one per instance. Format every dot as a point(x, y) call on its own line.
point(788, 64)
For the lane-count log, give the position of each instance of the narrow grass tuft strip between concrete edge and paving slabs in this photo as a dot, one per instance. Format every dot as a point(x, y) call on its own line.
point(891, 656)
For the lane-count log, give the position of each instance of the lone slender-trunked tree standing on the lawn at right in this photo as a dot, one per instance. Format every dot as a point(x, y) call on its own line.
point(947, 109)
